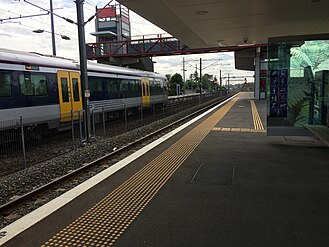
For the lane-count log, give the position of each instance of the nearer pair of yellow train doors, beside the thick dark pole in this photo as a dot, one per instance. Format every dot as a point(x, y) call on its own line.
point(69, 92)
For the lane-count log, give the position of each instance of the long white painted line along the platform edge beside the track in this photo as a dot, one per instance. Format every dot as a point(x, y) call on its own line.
point(37, 215)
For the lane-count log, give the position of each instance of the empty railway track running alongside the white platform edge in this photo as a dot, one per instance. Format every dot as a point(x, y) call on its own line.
point(46, 192)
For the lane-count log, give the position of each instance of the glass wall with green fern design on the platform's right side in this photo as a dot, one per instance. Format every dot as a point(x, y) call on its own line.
point(297, 82)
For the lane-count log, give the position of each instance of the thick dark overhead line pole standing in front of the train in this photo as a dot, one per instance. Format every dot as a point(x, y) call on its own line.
point(83, 65)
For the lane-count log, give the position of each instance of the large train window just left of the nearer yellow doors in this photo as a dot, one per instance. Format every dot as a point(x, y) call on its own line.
point(33, 84)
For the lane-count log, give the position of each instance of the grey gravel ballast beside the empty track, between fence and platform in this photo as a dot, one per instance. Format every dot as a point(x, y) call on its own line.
point(24, 181)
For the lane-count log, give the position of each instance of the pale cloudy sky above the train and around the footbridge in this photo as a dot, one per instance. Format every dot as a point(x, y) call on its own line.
point(17, 34)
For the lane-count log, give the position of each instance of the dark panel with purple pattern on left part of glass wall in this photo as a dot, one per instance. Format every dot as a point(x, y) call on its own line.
point(278, 92)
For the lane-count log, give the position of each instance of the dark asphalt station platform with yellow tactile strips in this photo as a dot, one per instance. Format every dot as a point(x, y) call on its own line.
point(220, 181)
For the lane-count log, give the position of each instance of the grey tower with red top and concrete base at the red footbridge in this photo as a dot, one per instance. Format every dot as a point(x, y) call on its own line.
point(113, 24)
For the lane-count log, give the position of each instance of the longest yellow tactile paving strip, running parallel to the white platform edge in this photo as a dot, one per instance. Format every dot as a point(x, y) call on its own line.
point(104, 223)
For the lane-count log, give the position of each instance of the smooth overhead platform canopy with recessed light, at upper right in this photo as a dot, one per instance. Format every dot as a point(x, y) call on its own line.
point(210, 23)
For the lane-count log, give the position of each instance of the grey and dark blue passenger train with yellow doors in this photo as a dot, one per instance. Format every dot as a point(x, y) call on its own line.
point(35, 86)
